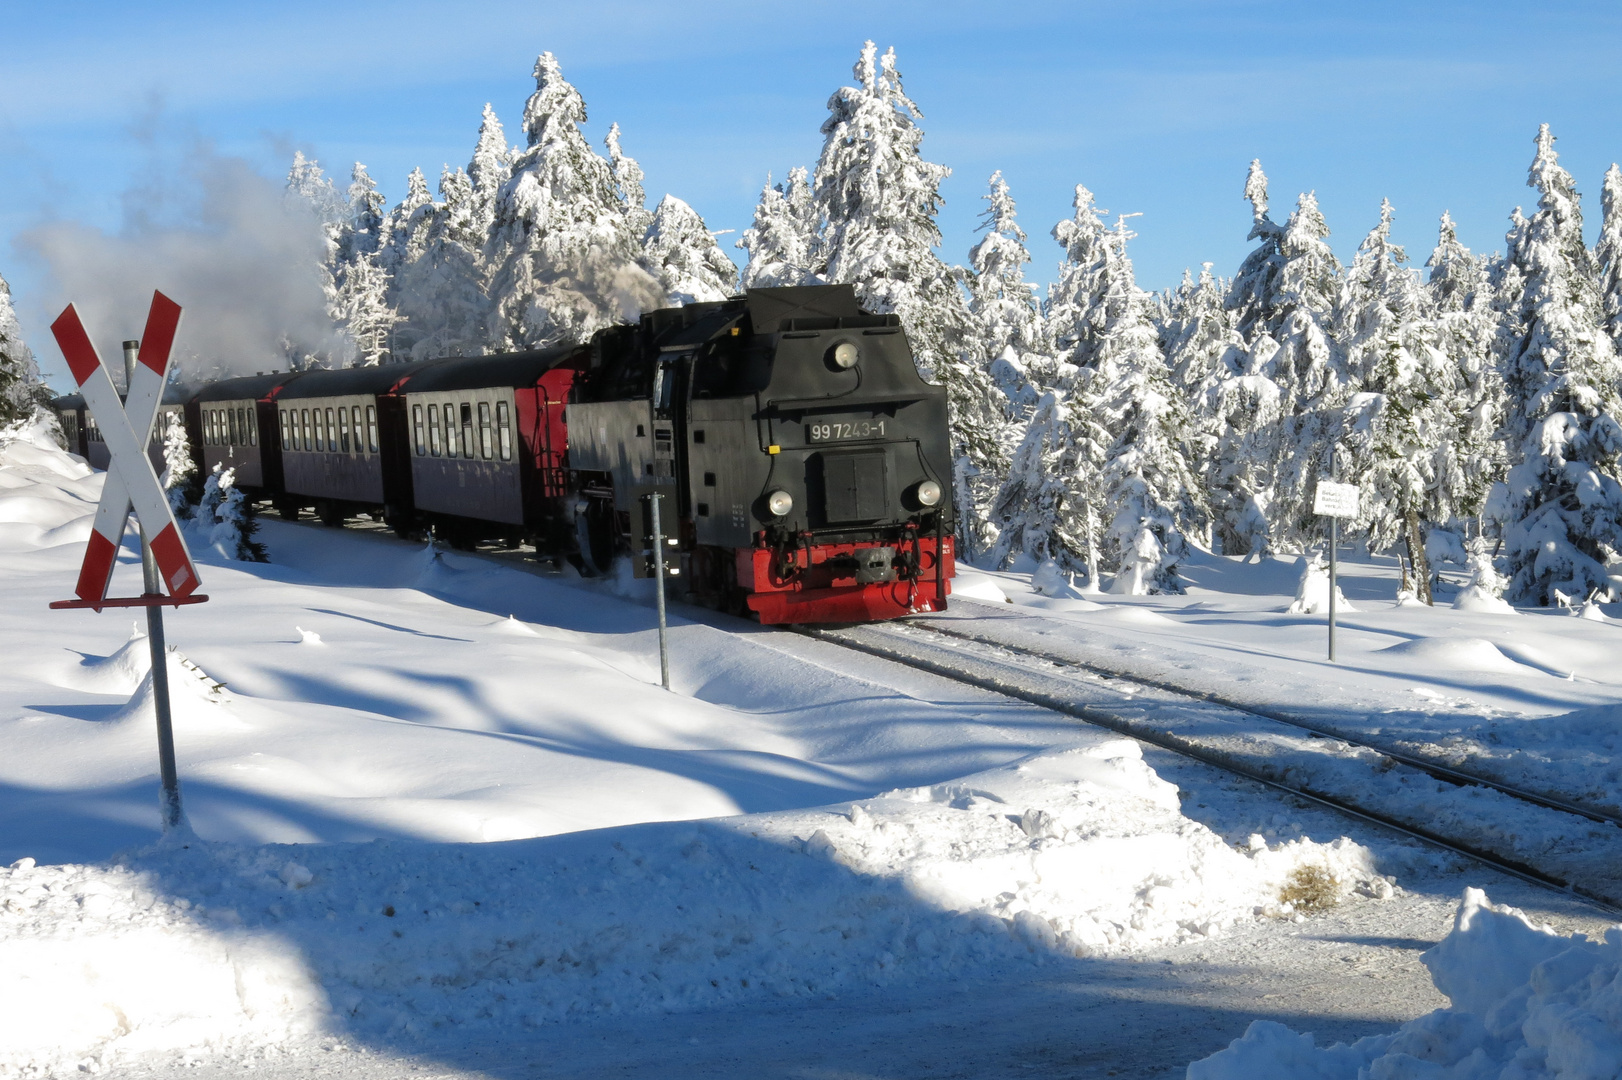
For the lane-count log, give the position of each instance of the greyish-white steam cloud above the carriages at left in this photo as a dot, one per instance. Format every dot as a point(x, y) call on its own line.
point(220, 239)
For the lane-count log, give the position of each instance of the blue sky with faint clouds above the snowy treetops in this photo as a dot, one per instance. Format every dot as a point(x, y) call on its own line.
point(1157, 108)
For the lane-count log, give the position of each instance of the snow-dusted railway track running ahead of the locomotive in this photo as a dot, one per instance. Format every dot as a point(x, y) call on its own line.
point(1277, 752)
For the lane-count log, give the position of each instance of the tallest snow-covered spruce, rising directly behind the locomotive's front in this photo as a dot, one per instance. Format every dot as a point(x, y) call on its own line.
point(878, 199)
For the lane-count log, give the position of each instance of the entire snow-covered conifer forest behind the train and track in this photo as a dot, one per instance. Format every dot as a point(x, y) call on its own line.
point(1099, 427)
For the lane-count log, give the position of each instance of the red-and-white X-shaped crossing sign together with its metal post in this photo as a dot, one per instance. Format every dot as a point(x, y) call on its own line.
point(131, 484)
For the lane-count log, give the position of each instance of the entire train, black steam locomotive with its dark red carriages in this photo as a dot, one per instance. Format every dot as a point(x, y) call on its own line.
point(800, 463)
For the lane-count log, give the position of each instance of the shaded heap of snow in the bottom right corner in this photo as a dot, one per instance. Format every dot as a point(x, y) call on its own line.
point(1527, 1005)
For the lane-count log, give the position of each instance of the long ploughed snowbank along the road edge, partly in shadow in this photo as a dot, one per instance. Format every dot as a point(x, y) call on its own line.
point(228, 948)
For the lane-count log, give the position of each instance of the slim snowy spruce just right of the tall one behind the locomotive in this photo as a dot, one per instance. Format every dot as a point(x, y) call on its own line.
point(1005, 311)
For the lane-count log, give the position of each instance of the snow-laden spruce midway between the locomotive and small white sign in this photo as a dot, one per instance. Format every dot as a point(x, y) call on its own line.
point(1152, 495)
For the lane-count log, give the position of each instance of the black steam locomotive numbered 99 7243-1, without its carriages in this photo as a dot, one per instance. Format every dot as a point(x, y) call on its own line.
point(802, 453)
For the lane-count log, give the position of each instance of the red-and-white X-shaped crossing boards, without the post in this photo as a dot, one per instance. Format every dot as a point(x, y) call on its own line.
point(127, 427)
